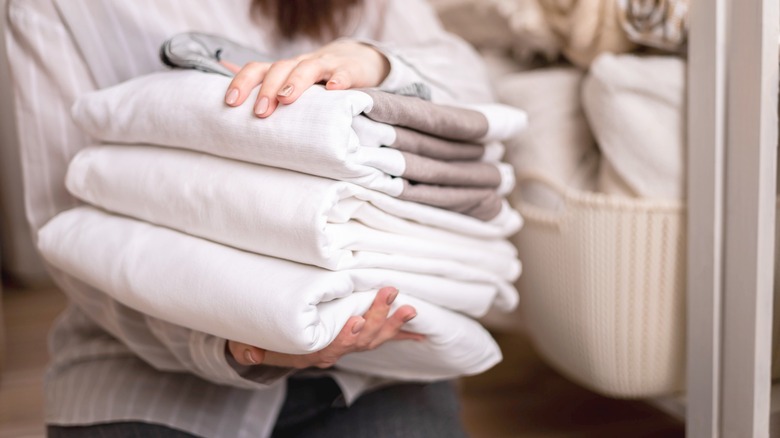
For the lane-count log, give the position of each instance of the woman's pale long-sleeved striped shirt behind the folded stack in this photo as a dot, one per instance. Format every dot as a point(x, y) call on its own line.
point(109, 362)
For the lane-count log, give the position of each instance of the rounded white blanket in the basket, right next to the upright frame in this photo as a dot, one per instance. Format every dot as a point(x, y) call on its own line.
point(636, 109)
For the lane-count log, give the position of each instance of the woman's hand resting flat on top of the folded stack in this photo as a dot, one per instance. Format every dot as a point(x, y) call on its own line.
point(340, 65)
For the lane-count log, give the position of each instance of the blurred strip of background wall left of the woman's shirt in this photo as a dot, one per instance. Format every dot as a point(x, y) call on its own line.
point(18, 258)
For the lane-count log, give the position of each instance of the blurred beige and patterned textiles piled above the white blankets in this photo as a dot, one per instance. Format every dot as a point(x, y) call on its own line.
point(580, 30)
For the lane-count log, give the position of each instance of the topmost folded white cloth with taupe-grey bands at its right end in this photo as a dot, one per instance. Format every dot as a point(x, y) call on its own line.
point(334, 134)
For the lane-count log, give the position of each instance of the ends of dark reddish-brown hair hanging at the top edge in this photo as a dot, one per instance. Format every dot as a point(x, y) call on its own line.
point(316, 19)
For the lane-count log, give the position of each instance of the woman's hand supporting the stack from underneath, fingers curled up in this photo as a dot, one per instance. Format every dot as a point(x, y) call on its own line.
point(360, 333)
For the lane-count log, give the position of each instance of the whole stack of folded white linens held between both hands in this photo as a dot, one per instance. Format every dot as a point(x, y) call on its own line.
point(275, 231)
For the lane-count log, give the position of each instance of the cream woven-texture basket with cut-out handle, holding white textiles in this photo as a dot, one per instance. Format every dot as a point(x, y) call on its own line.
point(603, 290)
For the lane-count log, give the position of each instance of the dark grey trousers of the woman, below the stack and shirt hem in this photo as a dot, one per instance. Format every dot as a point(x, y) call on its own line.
point(314, 409)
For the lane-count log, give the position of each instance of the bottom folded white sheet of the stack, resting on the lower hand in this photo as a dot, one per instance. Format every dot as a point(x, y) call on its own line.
point(268, 302)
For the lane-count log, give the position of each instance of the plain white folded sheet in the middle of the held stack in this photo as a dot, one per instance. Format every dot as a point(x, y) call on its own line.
point(285, 214)
